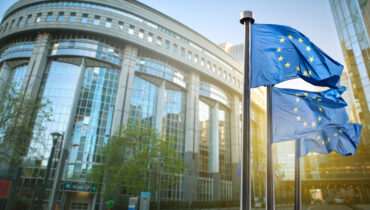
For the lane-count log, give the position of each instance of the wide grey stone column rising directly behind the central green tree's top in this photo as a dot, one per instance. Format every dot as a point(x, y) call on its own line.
point(125, 87)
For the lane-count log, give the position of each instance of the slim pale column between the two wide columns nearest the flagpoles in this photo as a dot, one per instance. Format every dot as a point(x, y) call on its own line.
point(214, 153)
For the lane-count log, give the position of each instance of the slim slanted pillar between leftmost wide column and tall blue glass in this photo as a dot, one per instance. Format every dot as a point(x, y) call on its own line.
point(66, 140)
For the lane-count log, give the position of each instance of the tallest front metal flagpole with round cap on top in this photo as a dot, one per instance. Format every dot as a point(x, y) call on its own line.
point(246, 18)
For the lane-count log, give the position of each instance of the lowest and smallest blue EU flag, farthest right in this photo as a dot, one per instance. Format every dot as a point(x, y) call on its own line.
point(344, 140)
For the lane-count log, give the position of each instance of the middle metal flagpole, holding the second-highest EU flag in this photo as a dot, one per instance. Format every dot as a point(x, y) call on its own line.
point(269, 153)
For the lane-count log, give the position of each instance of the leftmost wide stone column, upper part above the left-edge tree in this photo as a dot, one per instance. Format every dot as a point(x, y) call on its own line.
point(36, 66)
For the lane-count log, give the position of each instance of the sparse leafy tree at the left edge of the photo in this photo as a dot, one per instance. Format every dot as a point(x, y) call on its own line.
point(21, 119)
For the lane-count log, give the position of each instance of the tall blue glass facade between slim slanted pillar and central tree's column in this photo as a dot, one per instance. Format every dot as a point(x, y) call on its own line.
point(92, 124)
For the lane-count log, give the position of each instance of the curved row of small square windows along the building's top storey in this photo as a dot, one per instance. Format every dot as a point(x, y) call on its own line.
point(132, 30)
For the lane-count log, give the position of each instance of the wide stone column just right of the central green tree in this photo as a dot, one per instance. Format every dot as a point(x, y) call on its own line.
point(191, 138)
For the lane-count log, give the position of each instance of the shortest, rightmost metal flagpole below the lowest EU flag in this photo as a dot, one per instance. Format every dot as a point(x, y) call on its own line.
point(297, 180)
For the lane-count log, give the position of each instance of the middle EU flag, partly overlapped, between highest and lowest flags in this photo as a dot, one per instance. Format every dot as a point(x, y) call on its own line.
point(296, 113)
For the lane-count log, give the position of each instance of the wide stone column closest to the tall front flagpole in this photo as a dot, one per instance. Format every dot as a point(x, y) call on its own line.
point(235, 147)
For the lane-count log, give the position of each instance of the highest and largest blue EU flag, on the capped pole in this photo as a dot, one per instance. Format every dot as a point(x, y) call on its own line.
point(280, 53)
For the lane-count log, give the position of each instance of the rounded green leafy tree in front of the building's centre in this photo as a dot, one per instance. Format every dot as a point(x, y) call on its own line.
point(133, 161)
